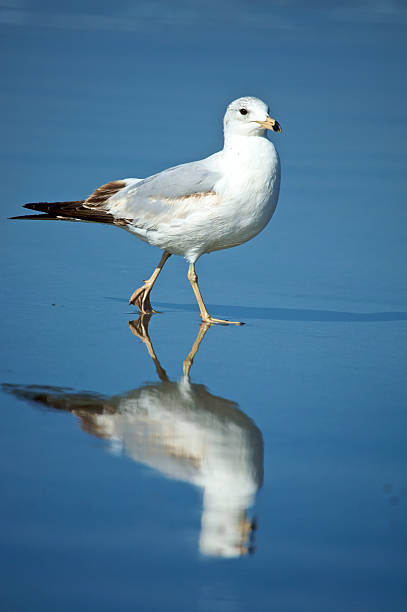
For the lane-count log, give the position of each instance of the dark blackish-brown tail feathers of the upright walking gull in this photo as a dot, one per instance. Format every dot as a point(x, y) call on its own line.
point(68, 211)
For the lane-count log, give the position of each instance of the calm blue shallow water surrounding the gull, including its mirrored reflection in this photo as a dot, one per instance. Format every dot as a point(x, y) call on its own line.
point(274, 476)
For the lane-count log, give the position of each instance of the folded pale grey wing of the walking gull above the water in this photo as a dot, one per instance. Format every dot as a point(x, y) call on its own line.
point(166, 195)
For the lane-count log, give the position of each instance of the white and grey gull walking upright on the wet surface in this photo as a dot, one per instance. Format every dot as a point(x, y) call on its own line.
point(199, 207)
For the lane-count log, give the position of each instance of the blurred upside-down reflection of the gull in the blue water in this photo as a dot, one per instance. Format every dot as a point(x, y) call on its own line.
point(184, 432)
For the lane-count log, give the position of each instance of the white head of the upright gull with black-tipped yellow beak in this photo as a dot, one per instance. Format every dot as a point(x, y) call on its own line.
point(248, 117)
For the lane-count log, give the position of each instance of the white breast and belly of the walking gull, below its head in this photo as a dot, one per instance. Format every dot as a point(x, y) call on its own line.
point(239, 207)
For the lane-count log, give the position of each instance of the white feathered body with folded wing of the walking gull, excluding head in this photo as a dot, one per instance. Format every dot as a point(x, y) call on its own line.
point(240, 187)
